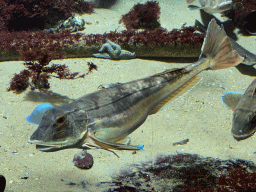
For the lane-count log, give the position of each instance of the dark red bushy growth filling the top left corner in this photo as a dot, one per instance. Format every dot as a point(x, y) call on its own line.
point(17, 15)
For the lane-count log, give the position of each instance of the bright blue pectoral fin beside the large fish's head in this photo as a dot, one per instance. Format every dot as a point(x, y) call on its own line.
point(36, 116)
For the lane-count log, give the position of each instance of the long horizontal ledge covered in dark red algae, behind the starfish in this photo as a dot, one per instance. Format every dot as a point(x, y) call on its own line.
point(184, 42)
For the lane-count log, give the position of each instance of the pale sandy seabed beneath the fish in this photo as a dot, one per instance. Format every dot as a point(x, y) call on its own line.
point(198, 115)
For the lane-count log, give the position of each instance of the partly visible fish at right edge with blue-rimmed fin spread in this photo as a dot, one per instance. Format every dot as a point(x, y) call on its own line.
point(244, 107)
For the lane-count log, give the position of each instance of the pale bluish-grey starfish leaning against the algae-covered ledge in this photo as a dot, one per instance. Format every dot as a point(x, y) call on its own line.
point(113, 52)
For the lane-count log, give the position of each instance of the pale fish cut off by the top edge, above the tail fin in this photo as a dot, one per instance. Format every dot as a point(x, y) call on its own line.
point(212, 6)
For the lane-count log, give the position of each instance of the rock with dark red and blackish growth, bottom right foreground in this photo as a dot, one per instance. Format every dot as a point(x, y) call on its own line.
point(186, 172)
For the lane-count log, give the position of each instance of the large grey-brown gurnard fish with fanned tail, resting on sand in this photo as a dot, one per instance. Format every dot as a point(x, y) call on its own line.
point(103, 119)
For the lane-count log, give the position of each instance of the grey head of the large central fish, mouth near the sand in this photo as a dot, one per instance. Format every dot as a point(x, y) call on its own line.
point(60, 129)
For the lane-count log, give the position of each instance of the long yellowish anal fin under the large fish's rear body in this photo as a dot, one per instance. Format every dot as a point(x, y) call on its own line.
point(183, 89)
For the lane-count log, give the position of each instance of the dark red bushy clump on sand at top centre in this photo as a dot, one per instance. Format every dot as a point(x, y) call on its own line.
point(142, 16)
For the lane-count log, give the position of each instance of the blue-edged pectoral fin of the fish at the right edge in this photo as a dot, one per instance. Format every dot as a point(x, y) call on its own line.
point(231, 99)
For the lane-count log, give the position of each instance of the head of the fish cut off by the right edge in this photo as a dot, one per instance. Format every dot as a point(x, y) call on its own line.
point(244, 124)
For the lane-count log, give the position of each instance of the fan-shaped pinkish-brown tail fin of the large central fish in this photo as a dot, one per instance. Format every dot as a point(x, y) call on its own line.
point(217, 48)
